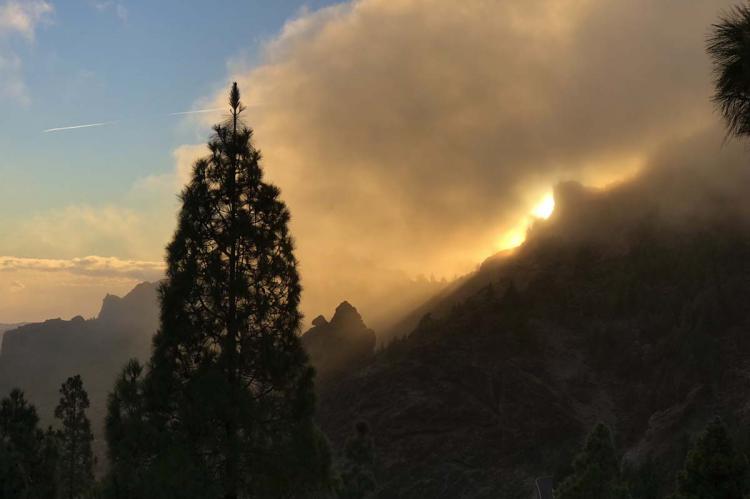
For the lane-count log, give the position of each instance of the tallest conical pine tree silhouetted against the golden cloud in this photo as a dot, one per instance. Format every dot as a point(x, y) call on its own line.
point(230, 386)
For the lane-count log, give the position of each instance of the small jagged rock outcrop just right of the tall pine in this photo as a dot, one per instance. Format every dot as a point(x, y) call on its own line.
point(340, 346)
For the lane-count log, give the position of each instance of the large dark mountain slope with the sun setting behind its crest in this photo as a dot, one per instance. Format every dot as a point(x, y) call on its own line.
point(614, 310)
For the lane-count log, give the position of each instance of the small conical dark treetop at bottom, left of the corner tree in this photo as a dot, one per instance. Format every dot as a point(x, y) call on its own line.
point(596, 470)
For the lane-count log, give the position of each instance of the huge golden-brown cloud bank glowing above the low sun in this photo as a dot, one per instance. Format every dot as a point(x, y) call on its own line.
point(415, 133)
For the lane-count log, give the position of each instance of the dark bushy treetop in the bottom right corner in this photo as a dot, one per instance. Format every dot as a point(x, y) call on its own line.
point(713, 469)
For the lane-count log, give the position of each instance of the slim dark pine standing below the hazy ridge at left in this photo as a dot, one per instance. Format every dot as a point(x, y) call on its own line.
point(76, 456)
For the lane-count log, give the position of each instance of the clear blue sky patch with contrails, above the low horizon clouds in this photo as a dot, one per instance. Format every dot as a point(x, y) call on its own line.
point(133, 61)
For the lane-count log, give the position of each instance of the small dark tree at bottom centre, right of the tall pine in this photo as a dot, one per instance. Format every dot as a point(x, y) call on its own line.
point(358, 467)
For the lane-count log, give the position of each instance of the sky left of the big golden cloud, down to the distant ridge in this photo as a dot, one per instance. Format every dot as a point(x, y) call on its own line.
point(70, 195)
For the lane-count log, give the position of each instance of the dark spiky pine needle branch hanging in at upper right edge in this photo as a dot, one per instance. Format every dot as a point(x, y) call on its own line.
point(729, 47)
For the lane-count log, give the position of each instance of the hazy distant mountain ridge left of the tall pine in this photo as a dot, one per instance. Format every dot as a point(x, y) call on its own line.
point(38, 358)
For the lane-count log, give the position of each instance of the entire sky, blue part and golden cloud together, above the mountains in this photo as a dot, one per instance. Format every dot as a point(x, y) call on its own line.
point(409, 137)
